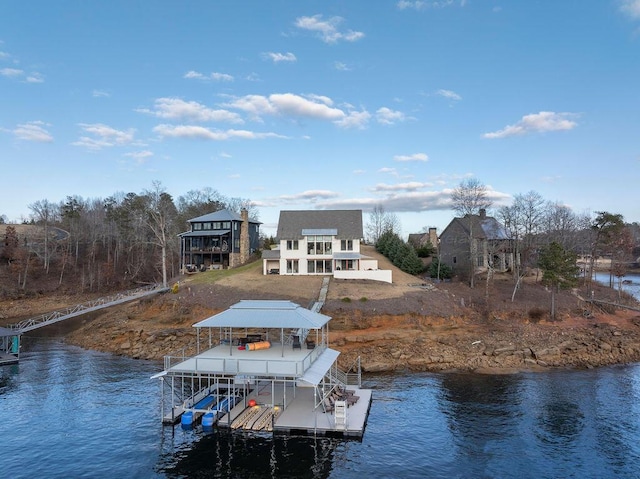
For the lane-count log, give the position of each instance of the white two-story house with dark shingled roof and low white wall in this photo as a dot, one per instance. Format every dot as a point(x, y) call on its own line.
point(322, 242)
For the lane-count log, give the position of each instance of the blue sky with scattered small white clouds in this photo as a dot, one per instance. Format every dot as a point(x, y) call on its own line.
point(322, 104)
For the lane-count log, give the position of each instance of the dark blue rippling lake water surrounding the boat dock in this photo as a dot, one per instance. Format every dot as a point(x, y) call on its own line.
point(70, 413)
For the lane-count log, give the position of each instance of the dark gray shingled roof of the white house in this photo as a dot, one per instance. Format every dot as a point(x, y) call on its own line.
point(348, 223)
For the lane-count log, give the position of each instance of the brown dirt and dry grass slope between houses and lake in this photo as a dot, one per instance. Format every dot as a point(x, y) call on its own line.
point(410, 325)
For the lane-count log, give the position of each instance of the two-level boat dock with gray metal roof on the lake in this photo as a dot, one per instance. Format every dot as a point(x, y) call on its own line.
point(266, 366)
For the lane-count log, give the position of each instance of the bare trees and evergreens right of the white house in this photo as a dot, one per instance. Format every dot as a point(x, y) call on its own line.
point(544, 234)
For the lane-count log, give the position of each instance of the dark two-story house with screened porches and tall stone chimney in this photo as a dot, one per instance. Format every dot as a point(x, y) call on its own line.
point(222, 239)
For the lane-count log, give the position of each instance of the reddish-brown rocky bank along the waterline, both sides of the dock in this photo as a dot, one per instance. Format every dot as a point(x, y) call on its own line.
point(406, 343)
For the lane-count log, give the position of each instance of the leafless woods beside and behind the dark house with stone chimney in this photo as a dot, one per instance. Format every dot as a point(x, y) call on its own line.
point(97, 244)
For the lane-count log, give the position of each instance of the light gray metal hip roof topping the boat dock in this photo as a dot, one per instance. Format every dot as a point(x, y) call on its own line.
point(265, 314)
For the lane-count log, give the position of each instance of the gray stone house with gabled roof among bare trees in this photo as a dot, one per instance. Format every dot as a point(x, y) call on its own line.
point(491, 245)
